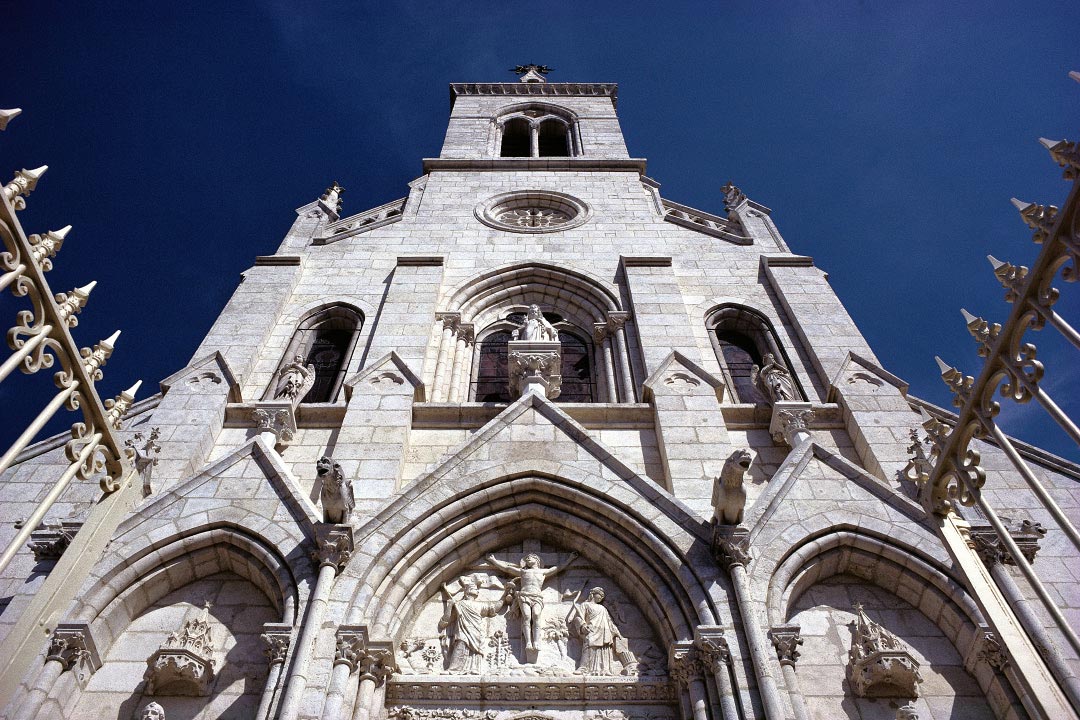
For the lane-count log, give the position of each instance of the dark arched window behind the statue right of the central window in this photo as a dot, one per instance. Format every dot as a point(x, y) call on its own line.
point(741, 338)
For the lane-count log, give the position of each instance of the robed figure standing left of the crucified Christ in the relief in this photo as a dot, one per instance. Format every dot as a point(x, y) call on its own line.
point(463, 630)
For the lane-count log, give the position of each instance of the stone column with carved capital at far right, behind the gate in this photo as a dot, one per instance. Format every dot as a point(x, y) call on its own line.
point(996, 556)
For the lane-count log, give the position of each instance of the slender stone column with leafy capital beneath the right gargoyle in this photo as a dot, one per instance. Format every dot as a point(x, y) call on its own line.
point(732, 547)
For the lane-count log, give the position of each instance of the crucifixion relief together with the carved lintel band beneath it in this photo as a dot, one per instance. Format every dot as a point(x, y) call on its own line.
point(530, 624)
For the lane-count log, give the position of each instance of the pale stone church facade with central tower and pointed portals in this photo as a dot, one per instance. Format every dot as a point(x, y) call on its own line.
point(533, 442)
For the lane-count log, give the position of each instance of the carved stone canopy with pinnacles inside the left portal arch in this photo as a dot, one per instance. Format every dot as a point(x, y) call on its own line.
point(184, 665)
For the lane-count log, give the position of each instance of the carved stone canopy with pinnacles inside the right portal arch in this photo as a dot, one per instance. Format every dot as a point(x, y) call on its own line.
point(881, 664)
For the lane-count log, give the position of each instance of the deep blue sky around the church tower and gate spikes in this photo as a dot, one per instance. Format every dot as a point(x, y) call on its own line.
point(887, 138)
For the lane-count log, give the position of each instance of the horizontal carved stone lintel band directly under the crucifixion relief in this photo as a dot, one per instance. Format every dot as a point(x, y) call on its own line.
point(423, 690)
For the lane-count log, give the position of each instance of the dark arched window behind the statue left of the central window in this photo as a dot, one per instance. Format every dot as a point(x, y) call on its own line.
point(326, 342)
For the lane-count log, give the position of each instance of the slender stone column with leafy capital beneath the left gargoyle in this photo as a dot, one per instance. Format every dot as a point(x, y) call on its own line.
point(334, 551)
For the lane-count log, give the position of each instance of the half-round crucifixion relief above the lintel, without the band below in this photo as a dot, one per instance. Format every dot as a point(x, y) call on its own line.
point(520, 614)
